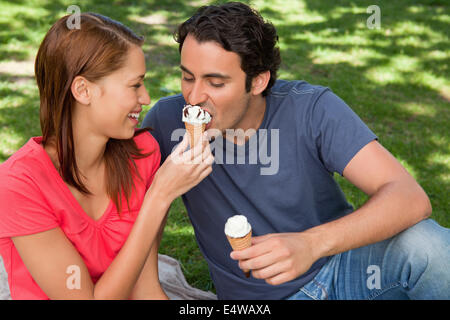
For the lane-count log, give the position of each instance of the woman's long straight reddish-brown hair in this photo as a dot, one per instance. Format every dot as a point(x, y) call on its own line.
point(95, 50)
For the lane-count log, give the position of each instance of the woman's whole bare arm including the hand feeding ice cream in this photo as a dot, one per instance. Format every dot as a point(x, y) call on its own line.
point(50, 257)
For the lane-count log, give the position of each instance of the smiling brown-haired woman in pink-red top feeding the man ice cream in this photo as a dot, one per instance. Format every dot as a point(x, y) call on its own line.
point(82, 207)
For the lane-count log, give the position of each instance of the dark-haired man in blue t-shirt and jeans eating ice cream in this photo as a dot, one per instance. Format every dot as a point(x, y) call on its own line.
point(309, 241)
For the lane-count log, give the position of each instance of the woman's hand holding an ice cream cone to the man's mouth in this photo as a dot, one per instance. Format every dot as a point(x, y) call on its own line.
point(183, 169)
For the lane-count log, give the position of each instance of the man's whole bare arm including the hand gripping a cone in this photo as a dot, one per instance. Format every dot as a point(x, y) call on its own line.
point(396, 202)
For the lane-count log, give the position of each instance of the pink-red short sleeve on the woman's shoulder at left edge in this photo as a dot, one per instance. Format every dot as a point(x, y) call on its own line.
point(23, 209)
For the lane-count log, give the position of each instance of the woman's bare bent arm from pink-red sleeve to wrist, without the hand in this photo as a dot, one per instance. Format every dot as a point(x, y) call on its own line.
point(59, 270)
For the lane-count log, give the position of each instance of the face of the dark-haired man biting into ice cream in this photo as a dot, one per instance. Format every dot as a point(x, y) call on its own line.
point(213, 79)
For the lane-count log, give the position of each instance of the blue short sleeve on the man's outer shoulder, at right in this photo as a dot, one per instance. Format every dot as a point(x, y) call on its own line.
point(338, 131)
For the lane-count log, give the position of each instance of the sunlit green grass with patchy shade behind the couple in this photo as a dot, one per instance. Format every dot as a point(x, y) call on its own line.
point(395, 78)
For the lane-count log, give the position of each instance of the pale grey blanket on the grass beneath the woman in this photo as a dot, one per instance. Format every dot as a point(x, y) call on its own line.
point(171, 277)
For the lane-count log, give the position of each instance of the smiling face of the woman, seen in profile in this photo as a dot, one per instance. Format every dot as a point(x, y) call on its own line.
point(117, 99)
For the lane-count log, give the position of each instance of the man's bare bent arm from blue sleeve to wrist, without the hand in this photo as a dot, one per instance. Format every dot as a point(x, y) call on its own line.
point(396, 203)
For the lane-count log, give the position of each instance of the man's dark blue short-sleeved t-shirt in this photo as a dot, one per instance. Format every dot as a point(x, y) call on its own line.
point(281, 179)
